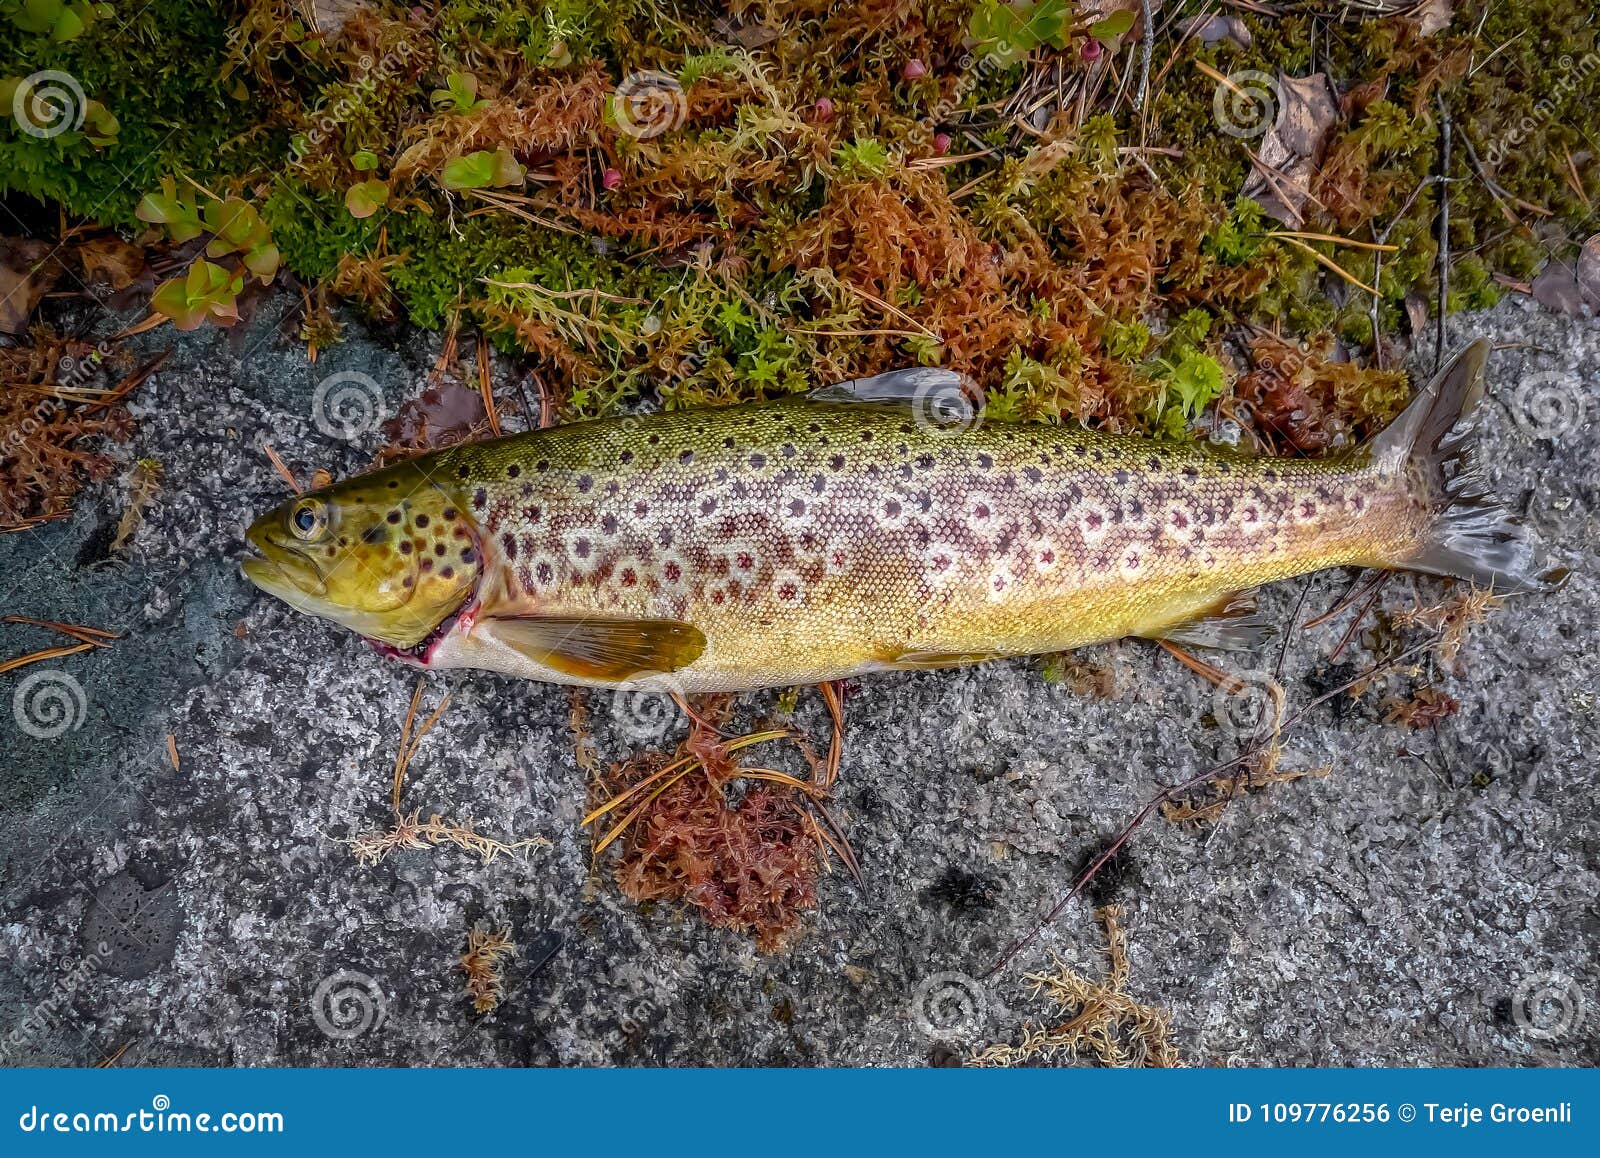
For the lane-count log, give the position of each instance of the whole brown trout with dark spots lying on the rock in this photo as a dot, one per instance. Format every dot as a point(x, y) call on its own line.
point(862, 530)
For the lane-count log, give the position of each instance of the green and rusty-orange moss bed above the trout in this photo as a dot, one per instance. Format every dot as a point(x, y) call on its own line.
point(231, 95)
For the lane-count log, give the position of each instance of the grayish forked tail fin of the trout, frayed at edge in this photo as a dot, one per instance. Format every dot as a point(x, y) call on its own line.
point(1434, 441)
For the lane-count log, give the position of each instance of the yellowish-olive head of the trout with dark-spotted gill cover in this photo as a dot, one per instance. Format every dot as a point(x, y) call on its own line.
point(391, 556)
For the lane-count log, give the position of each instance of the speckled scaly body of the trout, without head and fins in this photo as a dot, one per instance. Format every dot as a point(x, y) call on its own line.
point(820, 541)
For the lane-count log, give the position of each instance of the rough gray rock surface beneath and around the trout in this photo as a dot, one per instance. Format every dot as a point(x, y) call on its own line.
point(1438, 908)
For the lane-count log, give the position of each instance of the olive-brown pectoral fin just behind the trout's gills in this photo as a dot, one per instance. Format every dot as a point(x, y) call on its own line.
point(601, 649)
